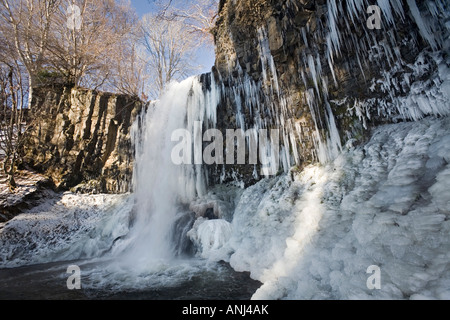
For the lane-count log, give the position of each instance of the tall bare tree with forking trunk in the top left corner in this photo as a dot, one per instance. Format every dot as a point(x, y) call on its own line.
point(26, 25)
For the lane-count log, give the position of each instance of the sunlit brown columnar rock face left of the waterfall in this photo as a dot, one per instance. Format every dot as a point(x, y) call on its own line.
point(82, 139)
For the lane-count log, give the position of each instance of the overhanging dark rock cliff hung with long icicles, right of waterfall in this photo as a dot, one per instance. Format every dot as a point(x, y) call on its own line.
point(323, 72)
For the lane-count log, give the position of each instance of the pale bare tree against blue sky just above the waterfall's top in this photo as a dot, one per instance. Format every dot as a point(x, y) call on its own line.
point(170, 50)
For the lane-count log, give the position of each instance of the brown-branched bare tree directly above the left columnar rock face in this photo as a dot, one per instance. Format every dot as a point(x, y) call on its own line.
point(86, 54)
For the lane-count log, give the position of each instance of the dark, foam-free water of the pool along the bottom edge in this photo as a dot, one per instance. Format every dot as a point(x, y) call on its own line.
point(48, 282)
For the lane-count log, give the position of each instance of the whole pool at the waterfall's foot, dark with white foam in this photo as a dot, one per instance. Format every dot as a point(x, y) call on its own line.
point(186, 280)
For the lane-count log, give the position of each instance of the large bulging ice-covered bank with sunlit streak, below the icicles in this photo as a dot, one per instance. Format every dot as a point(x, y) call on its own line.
point(313, 235)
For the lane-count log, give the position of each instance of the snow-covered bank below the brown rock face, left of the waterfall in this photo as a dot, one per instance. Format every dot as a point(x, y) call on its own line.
point(65, 227)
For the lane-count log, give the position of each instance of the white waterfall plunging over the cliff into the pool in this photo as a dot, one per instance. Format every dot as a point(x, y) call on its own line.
point(163, 188)
